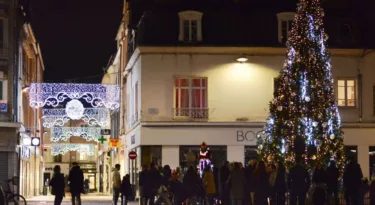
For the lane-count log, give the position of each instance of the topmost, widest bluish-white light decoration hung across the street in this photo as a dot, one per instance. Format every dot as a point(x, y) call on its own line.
point(52, 94)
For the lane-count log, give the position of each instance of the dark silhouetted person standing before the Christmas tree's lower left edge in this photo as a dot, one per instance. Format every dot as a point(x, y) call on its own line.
point(260, 179)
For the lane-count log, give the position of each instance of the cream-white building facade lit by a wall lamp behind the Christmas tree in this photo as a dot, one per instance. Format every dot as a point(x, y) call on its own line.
point(179, 97)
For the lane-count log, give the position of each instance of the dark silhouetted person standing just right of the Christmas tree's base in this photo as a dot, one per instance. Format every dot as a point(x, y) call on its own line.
point(352, 182)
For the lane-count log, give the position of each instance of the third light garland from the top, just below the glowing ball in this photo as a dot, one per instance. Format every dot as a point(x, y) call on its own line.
point(64, 133)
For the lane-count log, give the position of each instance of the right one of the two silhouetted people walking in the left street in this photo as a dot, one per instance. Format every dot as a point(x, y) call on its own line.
point(76, 183)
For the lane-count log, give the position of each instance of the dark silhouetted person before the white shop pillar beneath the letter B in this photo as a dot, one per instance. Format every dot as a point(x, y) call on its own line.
point(237, 182)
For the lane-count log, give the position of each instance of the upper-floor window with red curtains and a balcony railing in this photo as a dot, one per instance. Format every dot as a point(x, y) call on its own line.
point(191, 97)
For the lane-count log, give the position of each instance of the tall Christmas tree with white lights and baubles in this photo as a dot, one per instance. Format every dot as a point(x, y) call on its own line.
point(304, 120)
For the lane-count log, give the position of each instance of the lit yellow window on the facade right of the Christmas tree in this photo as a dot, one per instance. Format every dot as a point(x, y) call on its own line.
point(346, 93)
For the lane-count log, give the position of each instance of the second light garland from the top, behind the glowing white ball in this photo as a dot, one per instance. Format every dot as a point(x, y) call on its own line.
point(91, 116)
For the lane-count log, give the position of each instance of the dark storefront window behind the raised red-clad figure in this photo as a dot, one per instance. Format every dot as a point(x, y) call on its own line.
point(189, 155)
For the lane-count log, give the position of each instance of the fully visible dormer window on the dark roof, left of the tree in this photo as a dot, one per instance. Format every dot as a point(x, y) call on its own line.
point(190, 26)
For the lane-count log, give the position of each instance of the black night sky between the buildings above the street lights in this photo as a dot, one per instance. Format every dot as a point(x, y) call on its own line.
point(77, 37)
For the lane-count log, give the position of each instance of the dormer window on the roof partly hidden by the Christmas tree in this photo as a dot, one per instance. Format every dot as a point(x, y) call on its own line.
point(285, 24)
